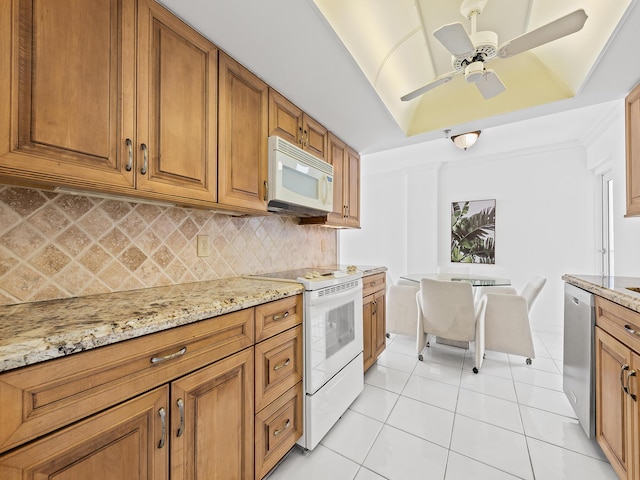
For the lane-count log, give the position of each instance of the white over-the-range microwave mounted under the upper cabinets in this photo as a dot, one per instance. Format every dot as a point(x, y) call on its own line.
point(299, 184)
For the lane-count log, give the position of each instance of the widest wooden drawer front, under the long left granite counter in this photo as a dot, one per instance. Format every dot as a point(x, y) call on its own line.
point(43, 397)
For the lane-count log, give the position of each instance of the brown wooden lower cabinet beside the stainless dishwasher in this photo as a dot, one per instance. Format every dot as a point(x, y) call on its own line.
point(617, 387)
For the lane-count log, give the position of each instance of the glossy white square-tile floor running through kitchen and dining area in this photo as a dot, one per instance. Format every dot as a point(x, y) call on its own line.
point(436, 419)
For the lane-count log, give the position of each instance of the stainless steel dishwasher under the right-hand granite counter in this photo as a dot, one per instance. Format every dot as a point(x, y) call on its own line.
point(578, 377)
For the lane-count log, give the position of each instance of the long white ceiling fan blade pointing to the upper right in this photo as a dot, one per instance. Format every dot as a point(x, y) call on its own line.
point(559, 28)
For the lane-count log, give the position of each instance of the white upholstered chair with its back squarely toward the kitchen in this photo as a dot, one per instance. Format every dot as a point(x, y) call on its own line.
point(446, 309)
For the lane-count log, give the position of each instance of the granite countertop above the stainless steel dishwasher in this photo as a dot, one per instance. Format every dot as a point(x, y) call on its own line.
point(611, 288)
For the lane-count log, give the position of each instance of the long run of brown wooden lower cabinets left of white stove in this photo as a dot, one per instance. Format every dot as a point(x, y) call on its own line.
point(176, 404)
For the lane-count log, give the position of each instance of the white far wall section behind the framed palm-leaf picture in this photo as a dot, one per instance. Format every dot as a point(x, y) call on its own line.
point(544, 219)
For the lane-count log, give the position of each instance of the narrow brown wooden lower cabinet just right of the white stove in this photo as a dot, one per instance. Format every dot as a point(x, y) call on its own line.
point(374, 317)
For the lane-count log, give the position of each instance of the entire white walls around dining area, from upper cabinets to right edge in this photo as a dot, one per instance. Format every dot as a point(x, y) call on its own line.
point(546, 202)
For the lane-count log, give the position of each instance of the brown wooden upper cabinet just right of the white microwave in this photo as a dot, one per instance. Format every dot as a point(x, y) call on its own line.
point(346, 187)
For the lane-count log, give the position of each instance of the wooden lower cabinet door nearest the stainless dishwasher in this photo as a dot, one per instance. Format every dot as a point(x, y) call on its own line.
point(613, 359)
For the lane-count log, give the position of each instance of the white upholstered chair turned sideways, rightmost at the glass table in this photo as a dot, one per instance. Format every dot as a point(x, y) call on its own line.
point(505, 317)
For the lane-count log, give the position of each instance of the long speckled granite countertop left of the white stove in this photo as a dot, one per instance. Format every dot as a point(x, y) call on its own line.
point(35, 332)
